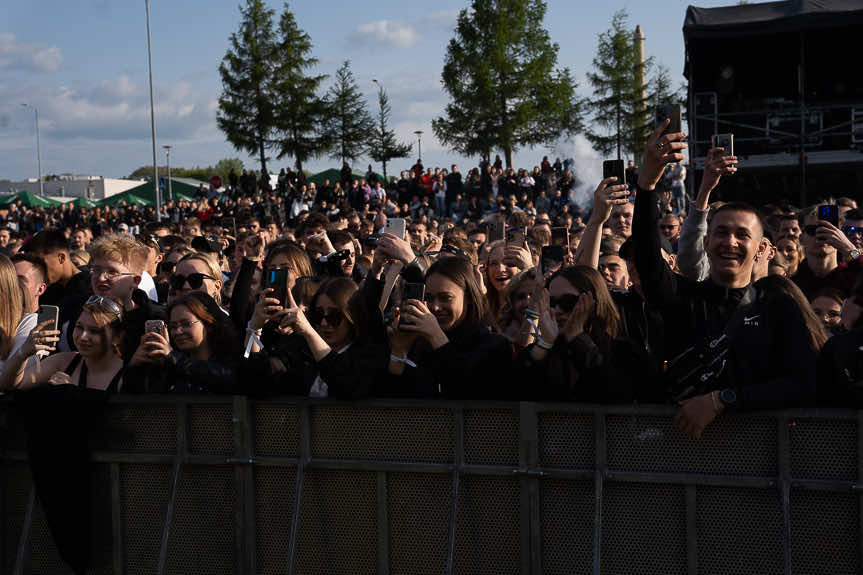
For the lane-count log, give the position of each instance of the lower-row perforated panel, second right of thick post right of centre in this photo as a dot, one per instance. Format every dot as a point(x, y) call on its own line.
point(643, 529)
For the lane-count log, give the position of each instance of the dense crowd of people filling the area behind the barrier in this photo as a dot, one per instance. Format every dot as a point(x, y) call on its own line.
point(495, 286)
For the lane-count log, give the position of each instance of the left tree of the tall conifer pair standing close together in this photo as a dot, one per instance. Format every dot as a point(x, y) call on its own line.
point(246, 108)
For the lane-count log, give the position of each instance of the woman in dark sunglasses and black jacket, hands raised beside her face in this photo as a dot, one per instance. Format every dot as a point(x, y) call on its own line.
point(579, 353)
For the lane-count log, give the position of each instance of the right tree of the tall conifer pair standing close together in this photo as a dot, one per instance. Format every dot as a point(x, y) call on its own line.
point(300, 112)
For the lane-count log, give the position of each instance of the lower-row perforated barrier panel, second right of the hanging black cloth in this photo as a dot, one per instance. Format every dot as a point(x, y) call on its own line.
point(203, 536)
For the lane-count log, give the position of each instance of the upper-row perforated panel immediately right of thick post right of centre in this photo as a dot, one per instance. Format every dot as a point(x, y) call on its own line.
point(566, 441)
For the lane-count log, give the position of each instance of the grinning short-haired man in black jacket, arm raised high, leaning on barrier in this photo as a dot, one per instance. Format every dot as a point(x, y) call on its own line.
point(701, 311)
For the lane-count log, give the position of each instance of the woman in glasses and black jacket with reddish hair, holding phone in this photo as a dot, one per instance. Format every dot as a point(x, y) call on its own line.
point(196, 352)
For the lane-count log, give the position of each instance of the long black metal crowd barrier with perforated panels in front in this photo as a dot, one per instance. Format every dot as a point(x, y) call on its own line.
point(227, 485)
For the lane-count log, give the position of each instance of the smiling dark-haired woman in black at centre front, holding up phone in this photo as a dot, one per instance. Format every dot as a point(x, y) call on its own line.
point(441, 347)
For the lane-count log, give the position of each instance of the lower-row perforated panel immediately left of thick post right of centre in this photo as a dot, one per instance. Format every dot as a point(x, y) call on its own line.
point(487, 533)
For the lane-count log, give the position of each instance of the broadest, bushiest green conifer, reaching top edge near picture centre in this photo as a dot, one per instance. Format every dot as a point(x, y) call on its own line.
point(500, 72)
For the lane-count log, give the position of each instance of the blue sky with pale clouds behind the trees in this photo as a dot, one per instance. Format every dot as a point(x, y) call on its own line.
point(84, 65)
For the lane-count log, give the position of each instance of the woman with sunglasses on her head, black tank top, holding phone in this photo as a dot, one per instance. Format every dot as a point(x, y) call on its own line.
point(97, 365)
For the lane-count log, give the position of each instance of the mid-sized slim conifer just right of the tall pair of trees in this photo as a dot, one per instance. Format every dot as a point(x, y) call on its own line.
point(348, 122)
